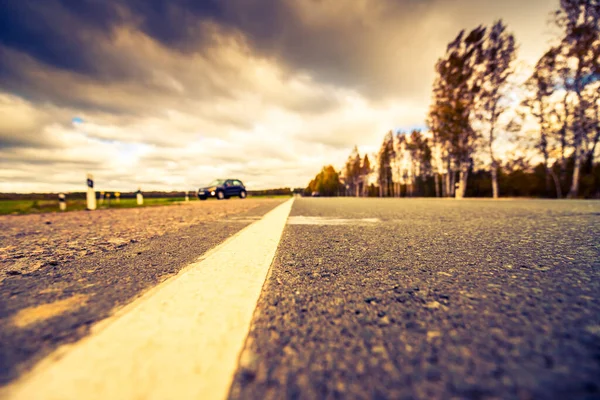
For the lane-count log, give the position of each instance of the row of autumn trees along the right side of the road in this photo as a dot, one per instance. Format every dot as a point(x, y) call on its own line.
point(553, 119)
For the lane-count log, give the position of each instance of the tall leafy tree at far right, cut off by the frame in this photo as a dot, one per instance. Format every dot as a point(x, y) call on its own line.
point(564, 94)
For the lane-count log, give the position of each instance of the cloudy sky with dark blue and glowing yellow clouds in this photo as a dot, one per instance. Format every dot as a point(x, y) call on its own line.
point(170, 94)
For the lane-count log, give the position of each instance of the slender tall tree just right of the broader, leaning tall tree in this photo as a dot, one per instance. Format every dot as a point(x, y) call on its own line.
point(498, 55)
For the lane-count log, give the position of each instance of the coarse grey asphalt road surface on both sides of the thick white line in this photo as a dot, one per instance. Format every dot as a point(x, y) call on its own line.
point(371, 298)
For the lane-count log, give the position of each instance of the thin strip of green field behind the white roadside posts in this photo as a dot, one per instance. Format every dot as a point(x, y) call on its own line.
point(42, 206)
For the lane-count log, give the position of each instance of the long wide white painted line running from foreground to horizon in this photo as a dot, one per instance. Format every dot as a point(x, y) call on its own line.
point(180, 341)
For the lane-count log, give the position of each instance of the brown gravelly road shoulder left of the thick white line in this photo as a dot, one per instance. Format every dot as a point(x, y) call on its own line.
point(89, 264)
